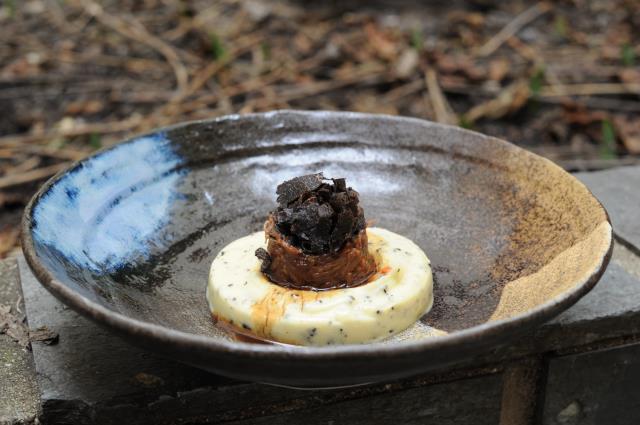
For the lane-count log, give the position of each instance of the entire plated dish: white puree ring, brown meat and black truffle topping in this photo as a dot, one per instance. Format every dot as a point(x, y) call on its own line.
point(318, 275)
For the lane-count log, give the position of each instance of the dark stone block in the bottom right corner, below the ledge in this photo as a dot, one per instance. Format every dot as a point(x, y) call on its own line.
point(600, 387)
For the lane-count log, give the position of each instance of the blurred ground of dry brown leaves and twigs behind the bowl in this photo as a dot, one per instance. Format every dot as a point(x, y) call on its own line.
point(560, 78)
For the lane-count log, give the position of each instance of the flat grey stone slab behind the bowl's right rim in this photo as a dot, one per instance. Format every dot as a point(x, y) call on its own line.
point(619, 191)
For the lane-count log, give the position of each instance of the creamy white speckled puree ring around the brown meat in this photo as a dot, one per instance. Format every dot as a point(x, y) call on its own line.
point(394, 298)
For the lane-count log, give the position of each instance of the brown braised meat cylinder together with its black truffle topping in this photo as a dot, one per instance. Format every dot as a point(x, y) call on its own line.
point(316, 238)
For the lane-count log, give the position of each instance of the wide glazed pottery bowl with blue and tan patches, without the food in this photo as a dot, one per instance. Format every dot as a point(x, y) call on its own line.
point(126, 236)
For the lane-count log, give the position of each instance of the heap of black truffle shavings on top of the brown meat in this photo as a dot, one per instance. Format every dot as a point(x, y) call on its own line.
point(318, 215)
